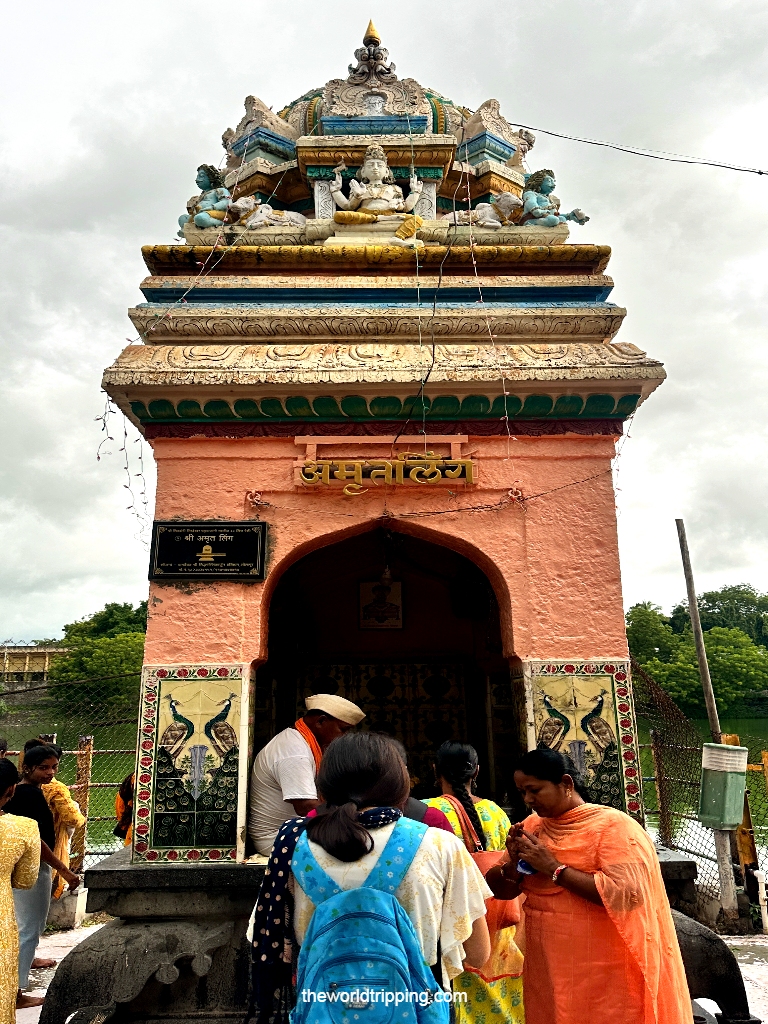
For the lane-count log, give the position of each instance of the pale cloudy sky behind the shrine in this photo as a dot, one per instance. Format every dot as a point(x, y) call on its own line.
point(110, 108)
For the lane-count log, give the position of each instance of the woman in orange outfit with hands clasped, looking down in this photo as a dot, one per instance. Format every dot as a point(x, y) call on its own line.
point(601, 943)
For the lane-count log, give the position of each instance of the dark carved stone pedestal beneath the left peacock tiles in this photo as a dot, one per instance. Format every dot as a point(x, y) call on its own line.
point(177, 952)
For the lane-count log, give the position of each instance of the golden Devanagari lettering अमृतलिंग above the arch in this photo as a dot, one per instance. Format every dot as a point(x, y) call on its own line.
point(407, 468)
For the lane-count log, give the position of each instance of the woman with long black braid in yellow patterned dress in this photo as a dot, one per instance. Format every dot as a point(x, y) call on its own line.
point(500, 1000)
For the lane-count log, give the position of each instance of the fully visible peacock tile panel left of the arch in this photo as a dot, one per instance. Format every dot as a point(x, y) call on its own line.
point(186, 806)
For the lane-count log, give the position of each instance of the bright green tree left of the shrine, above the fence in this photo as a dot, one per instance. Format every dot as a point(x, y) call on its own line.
point(102, 670)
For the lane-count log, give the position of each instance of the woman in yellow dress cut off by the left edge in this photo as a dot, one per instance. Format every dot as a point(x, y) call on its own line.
point(20, 863)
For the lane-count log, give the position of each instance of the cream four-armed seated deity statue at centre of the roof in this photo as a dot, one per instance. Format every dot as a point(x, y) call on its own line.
point(375, 198)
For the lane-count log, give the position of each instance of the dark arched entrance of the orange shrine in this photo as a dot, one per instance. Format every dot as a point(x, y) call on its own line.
point(418, 649)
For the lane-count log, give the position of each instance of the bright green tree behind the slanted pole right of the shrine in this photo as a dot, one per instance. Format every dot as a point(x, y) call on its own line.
point(738, 666)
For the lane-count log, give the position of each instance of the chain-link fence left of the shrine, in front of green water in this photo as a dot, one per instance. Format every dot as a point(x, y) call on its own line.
point(96, 722)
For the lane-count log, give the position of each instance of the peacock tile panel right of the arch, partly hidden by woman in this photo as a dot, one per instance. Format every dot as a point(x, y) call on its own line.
point(585, 710)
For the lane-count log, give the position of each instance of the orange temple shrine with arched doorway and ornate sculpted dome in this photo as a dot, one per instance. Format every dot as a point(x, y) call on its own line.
point(382, 382)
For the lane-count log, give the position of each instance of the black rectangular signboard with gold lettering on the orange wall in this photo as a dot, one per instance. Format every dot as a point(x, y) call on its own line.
point(208, 551)
